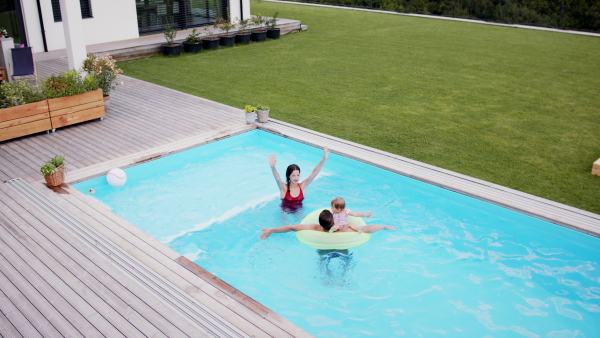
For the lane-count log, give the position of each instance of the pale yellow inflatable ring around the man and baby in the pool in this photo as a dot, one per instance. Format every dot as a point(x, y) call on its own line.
point(326, 241)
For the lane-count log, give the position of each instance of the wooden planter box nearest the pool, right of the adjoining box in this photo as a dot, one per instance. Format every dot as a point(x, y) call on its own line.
point(65, 111)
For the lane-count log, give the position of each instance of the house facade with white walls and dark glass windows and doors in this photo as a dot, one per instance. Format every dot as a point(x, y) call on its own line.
point(39, 23)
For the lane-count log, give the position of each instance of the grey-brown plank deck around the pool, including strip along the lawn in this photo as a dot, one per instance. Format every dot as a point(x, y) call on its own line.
point(70, 267)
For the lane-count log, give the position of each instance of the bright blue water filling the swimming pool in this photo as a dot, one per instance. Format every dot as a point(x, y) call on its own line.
point(456, 266)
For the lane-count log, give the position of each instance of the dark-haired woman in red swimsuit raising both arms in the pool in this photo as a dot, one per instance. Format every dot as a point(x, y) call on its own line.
point(292, 191)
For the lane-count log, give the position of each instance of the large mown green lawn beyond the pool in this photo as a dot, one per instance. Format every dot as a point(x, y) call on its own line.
point(516, 107)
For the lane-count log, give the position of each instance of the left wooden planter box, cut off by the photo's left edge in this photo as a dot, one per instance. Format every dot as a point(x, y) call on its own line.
point(24, 120)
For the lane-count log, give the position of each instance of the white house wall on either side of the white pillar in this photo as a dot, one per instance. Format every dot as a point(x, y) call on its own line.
point(113, 20)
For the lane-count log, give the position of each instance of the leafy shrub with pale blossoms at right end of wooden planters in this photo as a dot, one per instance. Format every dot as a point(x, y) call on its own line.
point(105, 70)
